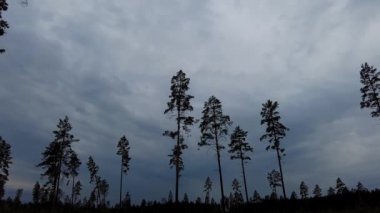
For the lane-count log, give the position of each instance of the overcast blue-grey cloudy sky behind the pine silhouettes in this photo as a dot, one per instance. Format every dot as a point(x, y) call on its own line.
point(107, 65)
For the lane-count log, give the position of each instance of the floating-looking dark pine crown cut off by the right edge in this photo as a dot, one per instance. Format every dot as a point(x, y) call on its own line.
point(370, 78)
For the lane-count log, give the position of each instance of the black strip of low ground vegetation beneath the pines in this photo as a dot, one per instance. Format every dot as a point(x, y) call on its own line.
point(349, 201)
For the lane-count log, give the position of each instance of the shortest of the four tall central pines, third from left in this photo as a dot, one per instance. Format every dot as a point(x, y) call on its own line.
point(239, 148)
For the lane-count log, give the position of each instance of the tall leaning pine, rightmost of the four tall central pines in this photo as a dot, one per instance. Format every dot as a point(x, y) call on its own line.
point(275, 132)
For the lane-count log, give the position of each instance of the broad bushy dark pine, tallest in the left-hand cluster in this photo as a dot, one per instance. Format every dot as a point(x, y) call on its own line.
point(55, 160)
